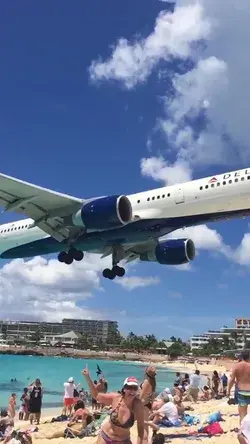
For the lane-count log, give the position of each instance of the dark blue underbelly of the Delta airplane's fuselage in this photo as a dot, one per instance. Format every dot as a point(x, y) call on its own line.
point(139, 231)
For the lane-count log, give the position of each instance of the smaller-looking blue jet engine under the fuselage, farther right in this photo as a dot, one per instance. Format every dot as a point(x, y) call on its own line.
point(171, 252)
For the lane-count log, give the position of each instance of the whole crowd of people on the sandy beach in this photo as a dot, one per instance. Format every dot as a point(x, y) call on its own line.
point(86, 410)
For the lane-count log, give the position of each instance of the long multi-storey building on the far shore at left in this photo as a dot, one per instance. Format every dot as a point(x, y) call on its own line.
point(95, 330)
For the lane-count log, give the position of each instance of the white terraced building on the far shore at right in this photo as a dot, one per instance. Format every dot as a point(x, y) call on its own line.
point(239, 335)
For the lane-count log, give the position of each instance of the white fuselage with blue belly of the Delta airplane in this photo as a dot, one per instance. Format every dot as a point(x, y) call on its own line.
point(159, 211)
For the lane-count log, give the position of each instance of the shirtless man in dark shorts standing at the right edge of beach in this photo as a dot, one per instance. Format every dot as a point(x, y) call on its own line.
point(241, 376)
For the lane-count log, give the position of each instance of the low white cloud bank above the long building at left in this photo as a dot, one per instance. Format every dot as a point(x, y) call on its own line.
point(46, 289)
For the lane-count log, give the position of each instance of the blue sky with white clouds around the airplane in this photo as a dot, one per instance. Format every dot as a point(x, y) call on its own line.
point(100, 98)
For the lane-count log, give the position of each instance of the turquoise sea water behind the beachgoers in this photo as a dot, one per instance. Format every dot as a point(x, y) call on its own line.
point(53, 372)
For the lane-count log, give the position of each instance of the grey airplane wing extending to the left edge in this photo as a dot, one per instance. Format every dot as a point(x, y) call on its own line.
point(46, 207)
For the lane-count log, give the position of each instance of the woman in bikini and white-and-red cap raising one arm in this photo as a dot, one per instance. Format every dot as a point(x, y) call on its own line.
point(126, 409)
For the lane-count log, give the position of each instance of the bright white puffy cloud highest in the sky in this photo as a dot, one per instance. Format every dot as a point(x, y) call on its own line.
point(131, 63)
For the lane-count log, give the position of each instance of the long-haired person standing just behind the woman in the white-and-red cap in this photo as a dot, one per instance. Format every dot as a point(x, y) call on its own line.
point(147, 395)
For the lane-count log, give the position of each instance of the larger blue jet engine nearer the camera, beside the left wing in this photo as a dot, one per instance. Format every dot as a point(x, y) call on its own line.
point(104, 213)
